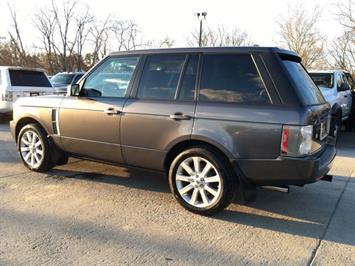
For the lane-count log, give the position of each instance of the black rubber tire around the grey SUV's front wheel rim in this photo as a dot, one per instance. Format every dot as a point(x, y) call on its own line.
point(45, 162)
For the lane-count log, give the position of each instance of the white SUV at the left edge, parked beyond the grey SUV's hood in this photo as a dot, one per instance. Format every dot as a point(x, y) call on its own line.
point(16, 82)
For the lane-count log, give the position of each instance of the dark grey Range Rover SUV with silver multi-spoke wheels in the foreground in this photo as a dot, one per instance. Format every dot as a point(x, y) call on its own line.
point(215, 120)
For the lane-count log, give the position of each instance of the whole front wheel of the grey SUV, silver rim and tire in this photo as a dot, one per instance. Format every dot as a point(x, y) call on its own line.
point(34, 148)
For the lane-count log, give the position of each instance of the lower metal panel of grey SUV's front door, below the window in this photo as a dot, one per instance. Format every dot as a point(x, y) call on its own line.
point(86, 129)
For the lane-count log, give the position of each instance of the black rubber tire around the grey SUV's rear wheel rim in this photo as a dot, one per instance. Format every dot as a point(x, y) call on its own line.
point(228, 180)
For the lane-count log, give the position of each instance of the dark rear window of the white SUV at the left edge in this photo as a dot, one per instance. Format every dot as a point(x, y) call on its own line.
point(28, 78)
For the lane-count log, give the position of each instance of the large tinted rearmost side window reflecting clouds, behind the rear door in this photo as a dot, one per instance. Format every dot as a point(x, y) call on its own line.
point(231, 78)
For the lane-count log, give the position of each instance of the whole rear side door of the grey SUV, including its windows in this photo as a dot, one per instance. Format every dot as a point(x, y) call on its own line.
point(161, 111)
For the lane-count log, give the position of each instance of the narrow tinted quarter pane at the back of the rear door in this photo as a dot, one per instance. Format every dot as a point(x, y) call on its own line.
point(187, 90)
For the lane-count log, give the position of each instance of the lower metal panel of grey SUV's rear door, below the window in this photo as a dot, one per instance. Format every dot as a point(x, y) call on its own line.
point(148, 130)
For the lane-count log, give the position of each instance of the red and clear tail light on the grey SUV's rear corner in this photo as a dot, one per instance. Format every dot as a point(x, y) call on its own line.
point(297, 140)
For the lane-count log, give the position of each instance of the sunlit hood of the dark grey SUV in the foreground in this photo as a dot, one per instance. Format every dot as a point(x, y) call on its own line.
point(51, 101)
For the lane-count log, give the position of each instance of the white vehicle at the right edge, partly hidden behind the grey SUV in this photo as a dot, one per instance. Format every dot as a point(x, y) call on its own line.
point(336, 90)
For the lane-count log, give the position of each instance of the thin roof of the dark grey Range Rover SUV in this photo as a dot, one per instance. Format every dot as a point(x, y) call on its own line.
point(240, 49)
